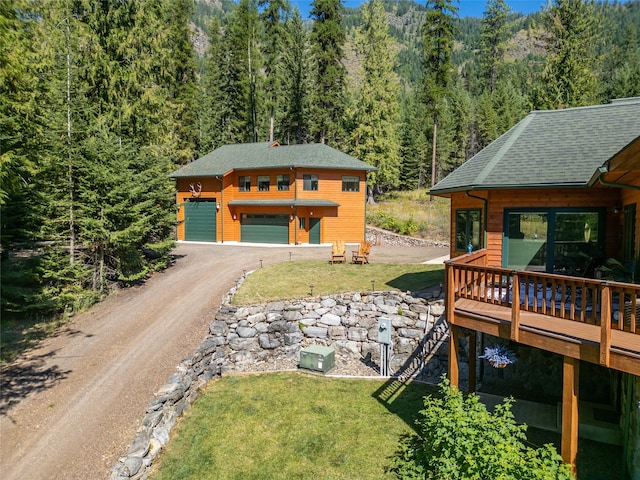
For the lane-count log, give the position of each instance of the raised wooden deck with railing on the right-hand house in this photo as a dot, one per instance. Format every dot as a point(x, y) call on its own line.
point(585, 319)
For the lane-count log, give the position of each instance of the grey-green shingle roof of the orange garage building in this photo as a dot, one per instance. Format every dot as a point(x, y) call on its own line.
point(254, 156)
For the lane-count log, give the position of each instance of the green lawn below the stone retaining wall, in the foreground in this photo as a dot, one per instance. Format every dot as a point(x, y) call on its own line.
point(291, 426)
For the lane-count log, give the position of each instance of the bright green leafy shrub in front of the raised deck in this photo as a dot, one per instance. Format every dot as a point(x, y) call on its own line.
point(457, 438)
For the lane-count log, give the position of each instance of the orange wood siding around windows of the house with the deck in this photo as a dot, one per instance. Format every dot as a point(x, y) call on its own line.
point(499, 200)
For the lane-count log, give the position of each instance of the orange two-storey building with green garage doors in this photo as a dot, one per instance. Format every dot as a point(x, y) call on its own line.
point(271, 193)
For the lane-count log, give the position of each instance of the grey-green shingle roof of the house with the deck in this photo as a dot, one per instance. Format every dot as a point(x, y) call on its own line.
point(550, 148)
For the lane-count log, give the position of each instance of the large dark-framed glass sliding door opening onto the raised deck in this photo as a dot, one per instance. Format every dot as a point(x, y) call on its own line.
point(556, 240)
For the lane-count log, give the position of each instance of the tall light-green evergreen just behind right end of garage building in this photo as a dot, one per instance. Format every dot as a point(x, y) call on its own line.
point(375, 139)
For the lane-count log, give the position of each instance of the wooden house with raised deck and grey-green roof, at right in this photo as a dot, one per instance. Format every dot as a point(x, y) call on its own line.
point(536, 217)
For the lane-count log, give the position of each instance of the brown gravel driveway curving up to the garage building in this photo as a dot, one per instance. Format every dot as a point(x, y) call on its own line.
point(71, 407)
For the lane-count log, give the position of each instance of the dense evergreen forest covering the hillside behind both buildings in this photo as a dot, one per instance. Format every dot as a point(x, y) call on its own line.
point(101, 100)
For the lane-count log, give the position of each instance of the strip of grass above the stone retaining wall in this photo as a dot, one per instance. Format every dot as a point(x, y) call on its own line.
point(294, 279)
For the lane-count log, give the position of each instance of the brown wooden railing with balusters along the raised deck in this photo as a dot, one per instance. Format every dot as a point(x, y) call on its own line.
point(609, 305)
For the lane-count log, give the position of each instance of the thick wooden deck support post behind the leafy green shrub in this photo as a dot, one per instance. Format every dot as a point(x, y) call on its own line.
point(570, 376)
